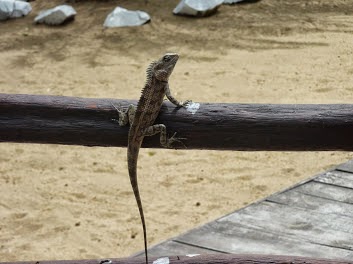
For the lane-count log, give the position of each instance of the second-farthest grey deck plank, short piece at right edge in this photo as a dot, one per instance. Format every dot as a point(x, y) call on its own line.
point(340, 178)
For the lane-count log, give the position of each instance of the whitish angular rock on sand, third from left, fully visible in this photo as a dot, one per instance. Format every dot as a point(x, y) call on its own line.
point(122, 17)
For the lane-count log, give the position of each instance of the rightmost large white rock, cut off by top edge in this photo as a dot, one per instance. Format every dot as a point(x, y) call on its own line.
point(197, 7)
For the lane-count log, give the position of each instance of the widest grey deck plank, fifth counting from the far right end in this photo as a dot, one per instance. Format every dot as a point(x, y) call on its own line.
point(330, 230)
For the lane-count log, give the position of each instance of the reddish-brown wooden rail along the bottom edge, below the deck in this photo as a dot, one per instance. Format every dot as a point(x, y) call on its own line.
point(200, 259)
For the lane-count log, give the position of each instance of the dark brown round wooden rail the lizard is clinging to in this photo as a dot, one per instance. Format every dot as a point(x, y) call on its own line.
point(88, 121)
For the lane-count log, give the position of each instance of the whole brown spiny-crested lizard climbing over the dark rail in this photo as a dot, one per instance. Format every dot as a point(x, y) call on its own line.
point(142, 118)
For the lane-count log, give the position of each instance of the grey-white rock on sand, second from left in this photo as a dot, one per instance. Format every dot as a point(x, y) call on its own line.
point(56, 16)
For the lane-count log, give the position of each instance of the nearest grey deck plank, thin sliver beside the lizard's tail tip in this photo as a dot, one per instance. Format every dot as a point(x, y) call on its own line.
point(171, 248)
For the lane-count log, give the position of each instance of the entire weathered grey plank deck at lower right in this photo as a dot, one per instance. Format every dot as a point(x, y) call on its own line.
point(313, 218)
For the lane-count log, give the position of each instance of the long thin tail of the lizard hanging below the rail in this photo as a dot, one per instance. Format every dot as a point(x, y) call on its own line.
point(132, 164)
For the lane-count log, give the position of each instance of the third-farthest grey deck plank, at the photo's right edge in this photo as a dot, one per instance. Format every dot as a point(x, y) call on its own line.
point(327, 191)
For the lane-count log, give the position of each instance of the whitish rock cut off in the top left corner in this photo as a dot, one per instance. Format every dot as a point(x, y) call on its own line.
point(13, 9)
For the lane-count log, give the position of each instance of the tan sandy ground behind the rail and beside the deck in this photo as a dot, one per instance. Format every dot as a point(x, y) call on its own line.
point(67, 202)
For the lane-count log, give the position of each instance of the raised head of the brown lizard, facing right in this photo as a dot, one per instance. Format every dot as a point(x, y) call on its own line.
point(163, 68)
